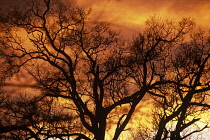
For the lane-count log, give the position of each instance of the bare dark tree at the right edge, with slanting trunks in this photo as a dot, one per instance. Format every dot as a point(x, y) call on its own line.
point(189, 95)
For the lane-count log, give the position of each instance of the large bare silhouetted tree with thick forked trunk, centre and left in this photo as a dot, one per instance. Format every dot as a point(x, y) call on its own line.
point(87, 64)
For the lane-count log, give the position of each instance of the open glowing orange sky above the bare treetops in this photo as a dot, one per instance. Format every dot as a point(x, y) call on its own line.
point(130, 15)
